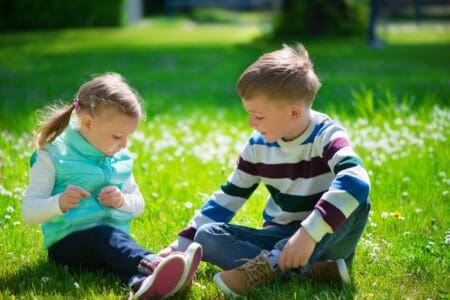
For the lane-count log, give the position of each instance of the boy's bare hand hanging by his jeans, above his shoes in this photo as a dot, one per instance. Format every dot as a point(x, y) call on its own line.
point(297, 250)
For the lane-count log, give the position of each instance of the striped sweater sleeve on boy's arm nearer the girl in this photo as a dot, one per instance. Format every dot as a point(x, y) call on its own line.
point(223, 204)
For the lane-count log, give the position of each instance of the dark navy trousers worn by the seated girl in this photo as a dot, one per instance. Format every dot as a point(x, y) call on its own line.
point(100, 247)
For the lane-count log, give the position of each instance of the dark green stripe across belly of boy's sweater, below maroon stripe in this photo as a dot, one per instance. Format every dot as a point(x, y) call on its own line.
point(294, 203)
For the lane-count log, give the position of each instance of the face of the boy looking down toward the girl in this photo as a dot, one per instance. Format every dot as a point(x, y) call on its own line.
point(274, 120)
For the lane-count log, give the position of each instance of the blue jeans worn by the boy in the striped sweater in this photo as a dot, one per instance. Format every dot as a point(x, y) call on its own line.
point(229, 246)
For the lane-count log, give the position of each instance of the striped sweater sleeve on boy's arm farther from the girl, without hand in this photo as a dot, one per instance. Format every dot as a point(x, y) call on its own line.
point(349, 188)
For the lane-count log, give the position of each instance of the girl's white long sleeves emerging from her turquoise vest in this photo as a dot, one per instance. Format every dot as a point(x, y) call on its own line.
point(39, 206)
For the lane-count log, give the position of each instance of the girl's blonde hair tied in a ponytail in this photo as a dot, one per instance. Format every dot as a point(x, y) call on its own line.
point(109, 90)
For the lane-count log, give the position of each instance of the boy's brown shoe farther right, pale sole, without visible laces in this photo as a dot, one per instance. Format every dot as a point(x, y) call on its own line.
point(329, 271)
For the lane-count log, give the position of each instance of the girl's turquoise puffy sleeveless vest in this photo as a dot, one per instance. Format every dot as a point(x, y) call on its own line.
point(78, 163)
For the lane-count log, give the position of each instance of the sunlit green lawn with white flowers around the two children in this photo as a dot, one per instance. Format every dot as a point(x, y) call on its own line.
point(395, 104)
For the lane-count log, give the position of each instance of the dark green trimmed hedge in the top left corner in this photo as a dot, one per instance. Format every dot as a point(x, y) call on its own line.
point(44, 14)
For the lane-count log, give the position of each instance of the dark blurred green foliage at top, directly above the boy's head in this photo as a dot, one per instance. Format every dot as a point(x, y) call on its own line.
point(322, 17)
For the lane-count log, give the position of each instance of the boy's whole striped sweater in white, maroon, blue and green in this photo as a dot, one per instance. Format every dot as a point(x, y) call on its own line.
point(316, 179)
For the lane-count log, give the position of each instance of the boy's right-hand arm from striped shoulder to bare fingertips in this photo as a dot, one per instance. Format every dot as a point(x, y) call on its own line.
point(349, 188)
